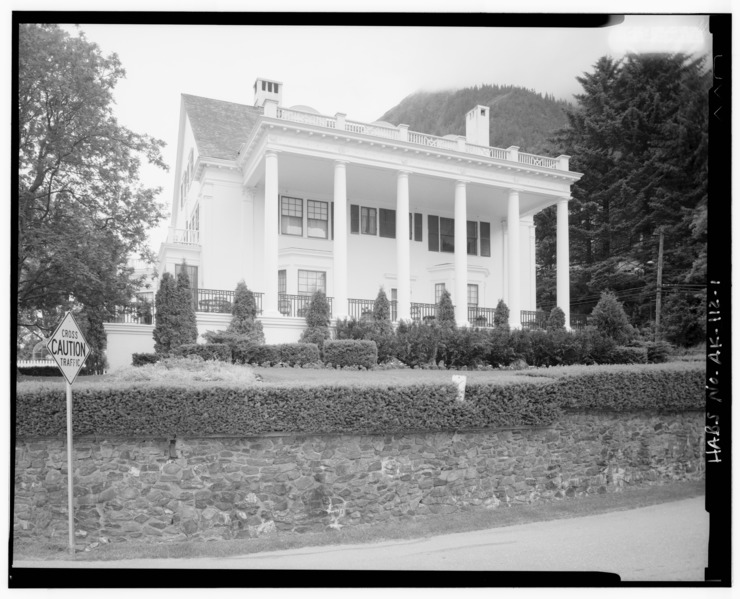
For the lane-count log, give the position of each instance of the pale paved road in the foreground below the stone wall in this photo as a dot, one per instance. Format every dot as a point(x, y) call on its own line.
point(666, 542)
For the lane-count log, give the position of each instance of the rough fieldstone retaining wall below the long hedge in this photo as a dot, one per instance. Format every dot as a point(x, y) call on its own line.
point(225, 488)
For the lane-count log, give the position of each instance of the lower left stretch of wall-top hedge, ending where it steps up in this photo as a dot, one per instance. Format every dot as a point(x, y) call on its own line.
point(229, 410)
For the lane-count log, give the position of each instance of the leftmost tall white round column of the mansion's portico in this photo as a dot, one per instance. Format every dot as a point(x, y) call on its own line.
point(270, 299)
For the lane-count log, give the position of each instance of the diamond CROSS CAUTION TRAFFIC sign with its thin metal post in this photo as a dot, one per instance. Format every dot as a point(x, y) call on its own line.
point(69, 349)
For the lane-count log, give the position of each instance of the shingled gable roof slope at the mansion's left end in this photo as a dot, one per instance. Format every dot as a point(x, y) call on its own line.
point(219, 127)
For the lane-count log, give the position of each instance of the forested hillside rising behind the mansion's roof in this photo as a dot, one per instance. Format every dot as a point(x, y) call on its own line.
point(519, 117)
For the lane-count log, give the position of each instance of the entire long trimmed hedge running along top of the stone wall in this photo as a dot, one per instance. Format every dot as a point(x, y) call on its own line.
point(207, 409)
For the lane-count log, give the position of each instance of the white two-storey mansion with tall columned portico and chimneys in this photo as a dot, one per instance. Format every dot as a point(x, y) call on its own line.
point(292, 201)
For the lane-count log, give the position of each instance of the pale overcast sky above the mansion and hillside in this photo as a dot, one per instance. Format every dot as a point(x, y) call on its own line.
point(361, 71)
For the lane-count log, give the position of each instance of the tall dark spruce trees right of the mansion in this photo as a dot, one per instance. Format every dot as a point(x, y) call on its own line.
point(638, 135)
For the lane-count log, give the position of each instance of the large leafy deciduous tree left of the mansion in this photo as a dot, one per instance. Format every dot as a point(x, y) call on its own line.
point(82, 212)
